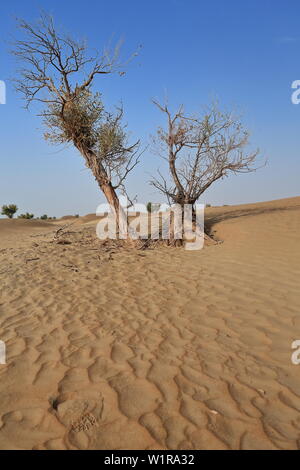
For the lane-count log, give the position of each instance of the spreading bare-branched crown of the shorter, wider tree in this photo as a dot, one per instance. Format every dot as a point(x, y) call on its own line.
point(200, 151)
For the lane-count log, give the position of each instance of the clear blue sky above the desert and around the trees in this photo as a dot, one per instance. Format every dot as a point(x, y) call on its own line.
point(245, 53)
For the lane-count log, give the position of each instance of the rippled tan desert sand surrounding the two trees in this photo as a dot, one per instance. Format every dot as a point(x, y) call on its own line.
point(154, 349)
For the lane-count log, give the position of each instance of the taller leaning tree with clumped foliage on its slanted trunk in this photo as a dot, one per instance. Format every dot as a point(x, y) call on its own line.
point(58, 73)
